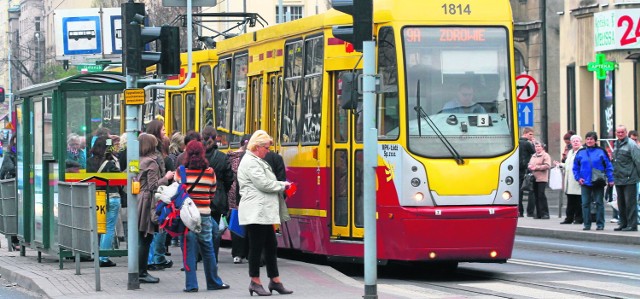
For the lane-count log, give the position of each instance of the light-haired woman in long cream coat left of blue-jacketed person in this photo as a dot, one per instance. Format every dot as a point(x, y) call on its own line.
point(571, 186)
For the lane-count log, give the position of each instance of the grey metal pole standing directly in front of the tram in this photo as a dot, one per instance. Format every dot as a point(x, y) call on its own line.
point(370, 164)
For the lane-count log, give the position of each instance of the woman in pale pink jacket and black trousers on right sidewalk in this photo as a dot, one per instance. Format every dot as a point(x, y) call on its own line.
point(539, 165)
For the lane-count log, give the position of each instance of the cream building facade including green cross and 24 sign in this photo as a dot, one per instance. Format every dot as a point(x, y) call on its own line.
point(598, 65)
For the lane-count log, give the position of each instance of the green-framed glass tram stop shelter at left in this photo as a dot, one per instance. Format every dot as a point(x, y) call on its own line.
point(55, 122)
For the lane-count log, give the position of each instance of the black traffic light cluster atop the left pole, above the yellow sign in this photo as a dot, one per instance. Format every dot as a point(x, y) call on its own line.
point(136, 38)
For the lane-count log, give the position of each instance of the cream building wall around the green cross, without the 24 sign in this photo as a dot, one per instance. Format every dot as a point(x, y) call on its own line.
point(577, 48)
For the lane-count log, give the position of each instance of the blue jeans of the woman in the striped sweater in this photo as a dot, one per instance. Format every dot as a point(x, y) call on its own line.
point(203, 242)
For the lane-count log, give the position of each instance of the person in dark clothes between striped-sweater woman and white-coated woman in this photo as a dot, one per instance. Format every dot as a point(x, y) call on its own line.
point(220, 164)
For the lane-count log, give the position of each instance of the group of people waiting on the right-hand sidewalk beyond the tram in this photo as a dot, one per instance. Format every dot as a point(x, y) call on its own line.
point(591, 174)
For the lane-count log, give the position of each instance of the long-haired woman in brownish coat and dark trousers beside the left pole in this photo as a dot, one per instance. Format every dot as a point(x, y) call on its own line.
point(150, 178)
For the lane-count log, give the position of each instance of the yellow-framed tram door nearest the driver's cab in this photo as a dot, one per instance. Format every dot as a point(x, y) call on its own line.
point(347, 164)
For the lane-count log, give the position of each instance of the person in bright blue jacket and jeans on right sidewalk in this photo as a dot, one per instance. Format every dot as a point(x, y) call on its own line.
point(588, 158)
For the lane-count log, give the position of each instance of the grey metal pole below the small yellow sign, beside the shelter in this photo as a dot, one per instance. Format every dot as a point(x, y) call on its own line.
point(133, 154)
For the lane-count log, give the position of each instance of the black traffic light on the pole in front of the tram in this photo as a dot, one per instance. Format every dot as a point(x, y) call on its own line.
point(362, 13)
